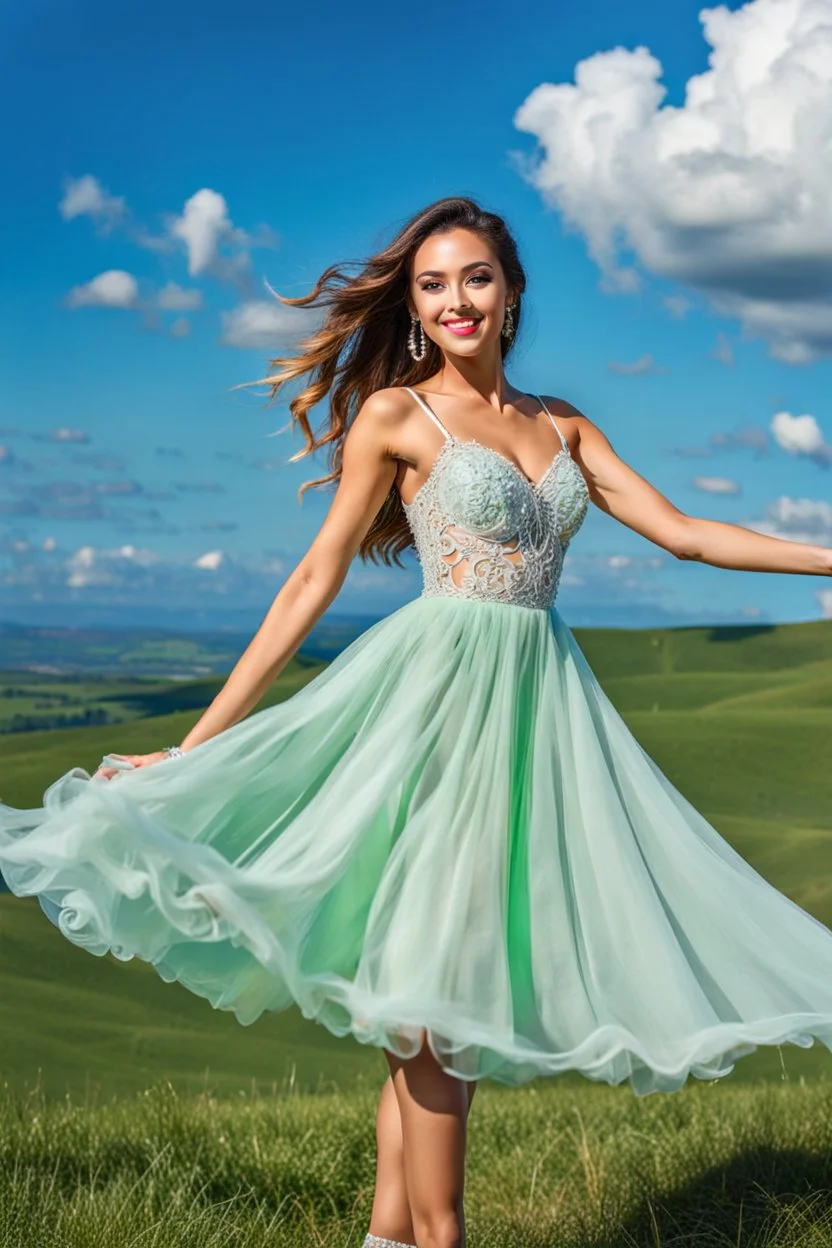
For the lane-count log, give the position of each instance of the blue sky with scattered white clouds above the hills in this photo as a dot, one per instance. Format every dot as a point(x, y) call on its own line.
point(167, 163)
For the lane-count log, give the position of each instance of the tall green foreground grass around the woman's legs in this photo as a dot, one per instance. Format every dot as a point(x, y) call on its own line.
point(714, 1166)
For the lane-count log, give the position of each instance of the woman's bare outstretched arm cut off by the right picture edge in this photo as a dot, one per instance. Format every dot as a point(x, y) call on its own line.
point(619, 491)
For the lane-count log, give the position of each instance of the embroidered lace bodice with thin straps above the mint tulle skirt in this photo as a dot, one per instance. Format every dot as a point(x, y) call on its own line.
point(483, 531)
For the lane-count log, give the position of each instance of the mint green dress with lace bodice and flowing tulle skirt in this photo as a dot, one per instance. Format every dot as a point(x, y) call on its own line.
point(452, 829)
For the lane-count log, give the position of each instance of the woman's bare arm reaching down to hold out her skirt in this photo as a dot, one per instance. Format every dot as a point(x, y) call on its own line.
point(369, 471)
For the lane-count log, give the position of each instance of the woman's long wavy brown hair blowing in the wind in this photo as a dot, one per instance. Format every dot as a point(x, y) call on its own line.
point(361, 346)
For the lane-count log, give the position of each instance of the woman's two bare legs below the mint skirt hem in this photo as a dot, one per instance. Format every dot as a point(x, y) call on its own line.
point(422, 1159)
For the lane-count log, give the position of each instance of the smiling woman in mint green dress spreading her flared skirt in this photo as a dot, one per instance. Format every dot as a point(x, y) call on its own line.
point(448, 843)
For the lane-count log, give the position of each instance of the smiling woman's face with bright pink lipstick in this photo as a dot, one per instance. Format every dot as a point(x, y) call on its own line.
point(458, 290)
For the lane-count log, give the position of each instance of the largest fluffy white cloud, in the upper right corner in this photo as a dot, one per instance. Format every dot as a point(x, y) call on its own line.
point(728, 194)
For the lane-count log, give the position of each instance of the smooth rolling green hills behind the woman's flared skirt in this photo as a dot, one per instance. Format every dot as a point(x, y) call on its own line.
point(739, 719)
